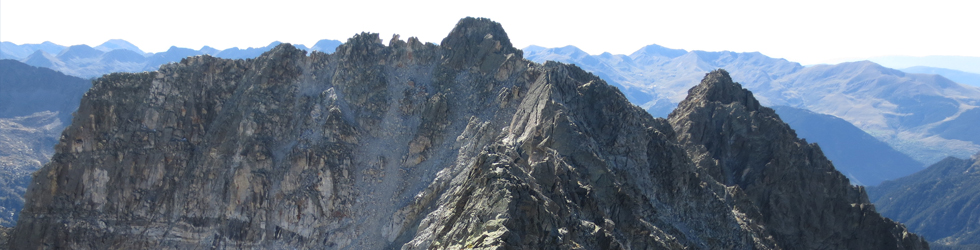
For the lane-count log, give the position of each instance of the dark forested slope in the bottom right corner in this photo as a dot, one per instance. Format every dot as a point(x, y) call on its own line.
point(942, 202)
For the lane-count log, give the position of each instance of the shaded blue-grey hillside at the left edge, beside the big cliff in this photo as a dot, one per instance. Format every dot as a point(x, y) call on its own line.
point(35, 105)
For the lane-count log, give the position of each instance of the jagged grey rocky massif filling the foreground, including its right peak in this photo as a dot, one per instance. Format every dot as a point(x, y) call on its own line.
point(420, 146)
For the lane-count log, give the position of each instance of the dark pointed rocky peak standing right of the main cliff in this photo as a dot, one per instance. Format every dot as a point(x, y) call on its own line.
point(801, 199)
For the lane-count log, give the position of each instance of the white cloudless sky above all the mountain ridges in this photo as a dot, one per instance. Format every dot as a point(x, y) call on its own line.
point(802, 31)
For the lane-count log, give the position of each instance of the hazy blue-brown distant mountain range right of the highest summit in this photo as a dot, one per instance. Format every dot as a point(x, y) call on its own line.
point(921, 115)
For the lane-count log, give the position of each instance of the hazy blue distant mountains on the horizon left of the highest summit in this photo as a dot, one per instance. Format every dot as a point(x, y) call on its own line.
point(121, 56)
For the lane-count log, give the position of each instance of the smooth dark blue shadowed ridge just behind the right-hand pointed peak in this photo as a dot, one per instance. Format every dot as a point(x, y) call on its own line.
point(858, 155)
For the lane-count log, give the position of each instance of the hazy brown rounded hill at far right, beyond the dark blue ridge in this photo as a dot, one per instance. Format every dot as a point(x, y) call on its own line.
point(900, 109)
